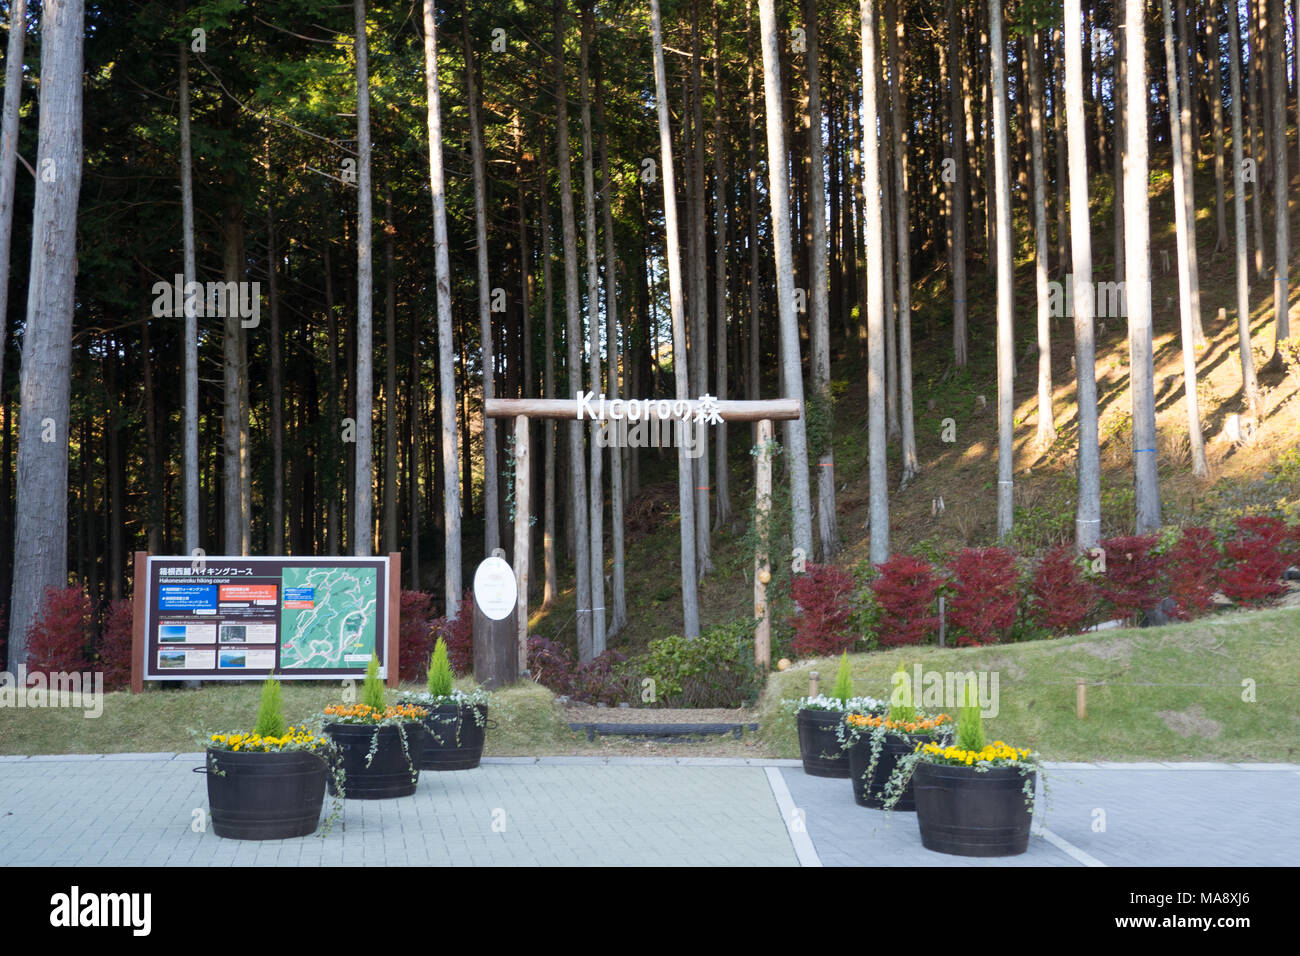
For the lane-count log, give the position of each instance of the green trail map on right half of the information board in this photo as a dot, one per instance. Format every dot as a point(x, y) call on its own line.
point(337, 626)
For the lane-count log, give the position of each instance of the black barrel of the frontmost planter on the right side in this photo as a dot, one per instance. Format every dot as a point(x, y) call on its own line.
point(967, 812)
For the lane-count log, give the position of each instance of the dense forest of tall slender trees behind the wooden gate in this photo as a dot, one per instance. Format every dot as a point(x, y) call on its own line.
point(398, 211)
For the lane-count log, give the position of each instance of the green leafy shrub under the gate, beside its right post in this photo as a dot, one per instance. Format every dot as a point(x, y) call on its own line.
point(714, 671)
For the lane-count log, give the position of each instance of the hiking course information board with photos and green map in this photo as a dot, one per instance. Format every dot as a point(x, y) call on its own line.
point(244, 618)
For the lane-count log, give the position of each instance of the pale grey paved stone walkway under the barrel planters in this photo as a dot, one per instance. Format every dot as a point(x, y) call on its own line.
point(150, 810)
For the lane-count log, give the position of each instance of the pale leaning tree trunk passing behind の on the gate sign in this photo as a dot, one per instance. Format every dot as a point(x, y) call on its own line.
point(686, 498)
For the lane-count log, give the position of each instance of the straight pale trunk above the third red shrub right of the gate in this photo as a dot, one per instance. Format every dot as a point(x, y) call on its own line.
point(1006, 278)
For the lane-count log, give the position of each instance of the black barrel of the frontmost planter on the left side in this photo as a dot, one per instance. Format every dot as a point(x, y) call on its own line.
point(266, 797)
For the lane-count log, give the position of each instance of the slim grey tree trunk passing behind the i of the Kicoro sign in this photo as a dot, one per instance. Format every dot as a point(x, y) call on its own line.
point(596, 500)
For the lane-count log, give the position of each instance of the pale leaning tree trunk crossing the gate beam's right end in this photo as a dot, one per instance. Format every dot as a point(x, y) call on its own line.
point(779, 192)
